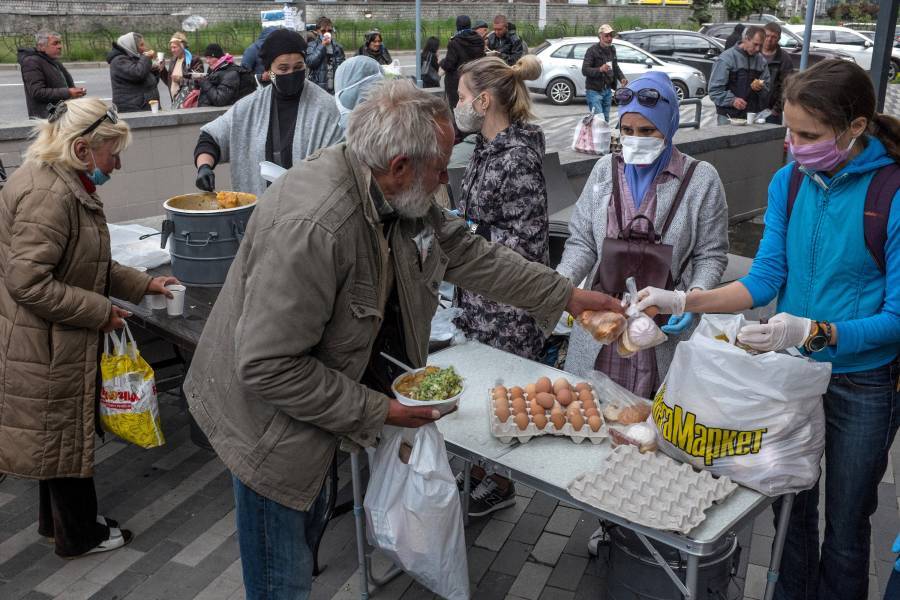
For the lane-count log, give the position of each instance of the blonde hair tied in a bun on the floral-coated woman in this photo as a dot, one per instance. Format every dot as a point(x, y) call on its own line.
point(506, 84)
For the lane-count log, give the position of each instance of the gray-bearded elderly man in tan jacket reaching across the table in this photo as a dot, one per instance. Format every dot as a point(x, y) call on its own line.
point(341, 261)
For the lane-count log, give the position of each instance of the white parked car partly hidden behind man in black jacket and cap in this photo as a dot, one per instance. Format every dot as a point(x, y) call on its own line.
point(561, 79)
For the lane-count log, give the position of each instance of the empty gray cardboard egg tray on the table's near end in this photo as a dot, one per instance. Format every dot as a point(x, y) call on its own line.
point(651, 489)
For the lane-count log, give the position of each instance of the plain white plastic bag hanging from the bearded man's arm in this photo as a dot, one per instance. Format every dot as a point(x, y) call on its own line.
point(413, 513)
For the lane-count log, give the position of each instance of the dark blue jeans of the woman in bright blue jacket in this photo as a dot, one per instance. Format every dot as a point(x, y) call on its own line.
point(862, 412)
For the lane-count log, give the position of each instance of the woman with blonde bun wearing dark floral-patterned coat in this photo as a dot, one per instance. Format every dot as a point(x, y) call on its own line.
point(504, 199)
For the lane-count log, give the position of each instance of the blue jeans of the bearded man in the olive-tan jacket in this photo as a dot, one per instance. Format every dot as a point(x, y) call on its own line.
point(277, 544)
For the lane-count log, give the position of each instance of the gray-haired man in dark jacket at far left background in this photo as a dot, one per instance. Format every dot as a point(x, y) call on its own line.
point(45, 79)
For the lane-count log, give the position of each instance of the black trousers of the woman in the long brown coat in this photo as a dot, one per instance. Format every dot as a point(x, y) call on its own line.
point(68, 514)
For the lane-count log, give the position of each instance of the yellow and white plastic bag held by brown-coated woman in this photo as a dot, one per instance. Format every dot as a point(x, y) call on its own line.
point(128, 406)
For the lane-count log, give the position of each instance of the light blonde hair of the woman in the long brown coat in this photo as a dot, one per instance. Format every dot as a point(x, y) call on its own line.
point(54, 142)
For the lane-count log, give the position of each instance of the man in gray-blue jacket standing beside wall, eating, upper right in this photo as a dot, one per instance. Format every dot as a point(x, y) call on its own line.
point(739, 82)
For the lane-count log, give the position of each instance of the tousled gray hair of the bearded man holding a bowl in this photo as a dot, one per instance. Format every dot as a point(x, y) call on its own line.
point(396, 119)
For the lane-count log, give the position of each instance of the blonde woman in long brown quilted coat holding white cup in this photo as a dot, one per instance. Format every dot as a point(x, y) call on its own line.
point(57, 278)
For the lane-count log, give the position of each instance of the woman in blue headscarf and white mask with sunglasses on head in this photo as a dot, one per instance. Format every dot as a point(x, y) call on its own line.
point(649, 173)
